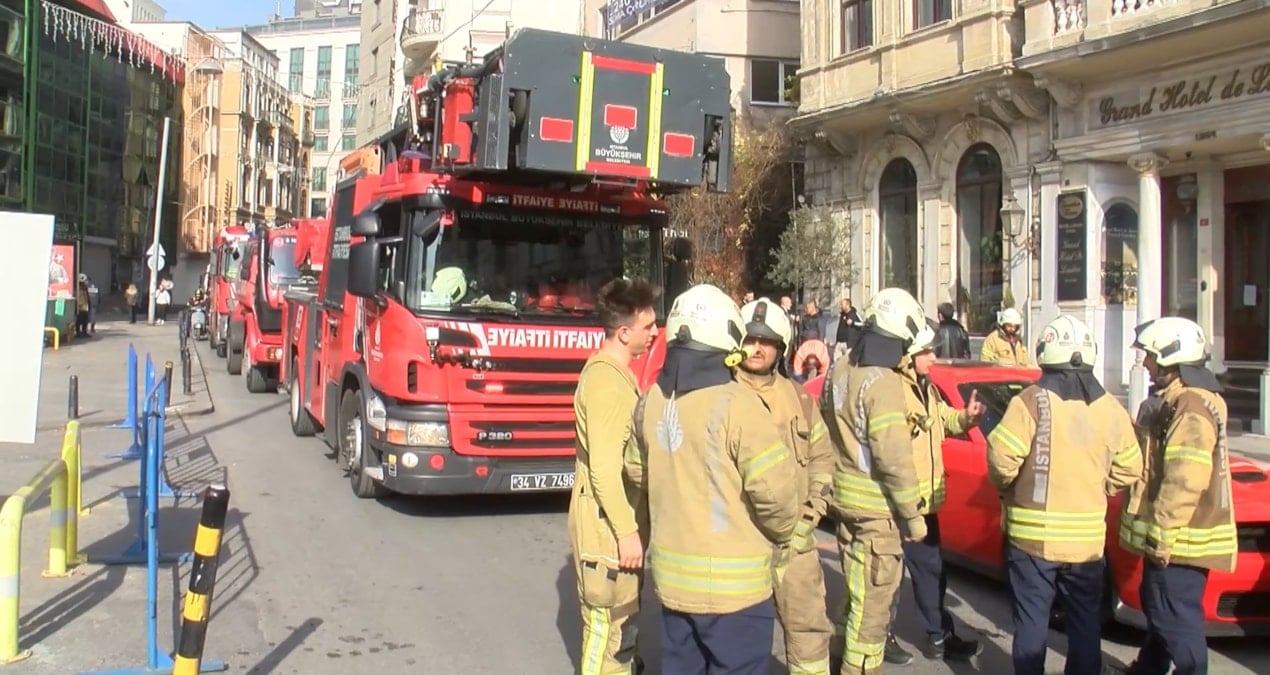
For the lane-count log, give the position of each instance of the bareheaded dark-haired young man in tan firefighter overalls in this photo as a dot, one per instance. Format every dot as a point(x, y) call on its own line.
point(604, 512)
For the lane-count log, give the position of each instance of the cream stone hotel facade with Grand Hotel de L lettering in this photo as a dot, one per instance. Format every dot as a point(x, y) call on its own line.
point(1102, 158)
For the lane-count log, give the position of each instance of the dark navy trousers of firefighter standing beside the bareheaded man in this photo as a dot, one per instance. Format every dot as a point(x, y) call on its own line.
point(737, 644)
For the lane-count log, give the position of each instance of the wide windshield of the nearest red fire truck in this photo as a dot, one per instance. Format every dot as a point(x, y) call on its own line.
point(534, 265)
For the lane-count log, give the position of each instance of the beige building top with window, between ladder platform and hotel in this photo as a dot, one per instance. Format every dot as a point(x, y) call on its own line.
point(759, 41)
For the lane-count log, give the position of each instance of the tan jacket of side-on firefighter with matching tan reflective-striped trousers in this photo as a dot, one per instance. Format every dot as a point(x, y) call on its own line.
point(866, 410)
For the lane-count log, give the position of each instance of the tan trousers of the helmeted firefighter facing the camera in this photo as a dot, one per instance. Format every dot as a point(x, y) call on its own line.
point(801, 607)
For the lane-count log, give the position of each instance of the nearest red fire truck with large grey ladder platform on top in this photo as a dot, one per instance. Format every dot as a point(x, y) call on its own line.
point(440, 353)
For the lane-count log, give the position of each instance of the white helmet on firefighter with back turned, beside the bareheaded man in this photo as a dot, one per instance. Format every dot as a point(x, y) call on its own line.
point(705, 318)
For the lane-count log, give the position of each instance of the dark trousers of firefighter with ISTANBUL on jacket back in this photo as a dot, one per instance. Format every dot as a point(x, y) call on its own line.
point(1034, 584)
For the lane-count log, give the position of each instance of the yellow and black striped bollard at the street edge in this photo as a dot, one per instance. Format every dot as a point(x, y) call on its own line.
point(203, 580)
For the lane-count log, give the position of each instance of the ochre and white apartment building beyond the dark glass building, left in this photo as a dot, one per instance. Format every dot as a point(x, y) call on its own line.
point(264, 163)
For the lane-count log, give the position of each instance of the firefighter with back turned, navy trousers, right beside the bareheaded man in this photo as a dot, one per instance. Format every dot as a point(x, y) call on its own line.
point(723, 494)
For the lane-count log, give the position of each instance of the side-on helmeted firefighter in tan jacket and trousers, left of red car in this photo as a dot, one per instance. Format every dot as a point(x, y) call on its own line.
point(877, 493)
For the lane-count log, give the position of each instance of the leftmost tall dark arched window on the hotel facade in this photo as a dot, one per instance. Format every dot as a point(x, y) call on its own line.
point(897, 203)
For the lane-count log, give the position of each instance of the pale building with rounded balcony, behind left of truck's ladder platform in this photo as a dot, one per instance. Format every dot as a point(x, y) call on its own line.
point(407, 39)
